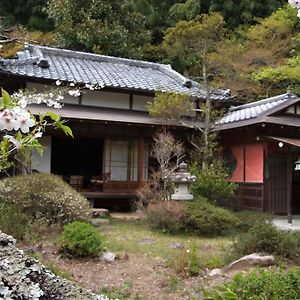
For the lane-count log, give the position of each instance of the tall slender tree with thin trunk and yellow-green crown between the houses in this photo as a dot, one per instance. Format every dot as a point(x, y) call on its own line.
point(196, 41)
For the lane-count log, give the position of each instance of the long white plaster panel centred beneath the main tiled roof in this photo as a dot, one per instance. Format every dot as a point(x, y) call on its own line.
point(105, 99)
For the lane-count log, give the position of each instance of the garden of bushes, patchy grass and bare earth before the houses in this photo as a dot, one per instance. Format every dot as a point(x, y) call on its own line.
point(170, 250)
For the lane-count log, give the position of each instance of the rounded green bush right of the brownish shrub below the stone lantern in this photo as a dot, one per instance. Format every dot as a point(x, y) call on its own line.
point(202, 217)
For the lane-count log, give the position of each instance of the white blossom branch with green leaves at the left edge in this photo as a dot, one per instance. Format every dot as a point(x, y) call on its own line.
point(19, 129)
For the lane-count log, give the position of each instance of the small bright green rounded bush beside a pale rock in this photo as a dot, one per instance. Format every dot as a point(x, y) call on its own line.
point(80, 239)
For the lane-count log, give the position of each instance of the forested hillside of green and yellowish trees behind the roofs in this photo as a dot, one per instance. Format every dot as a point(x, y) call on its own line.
point(256, 53)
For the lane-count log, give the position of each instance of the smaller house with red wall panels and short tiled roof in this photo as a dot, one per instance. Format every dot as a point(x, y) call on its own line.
point(261, 145)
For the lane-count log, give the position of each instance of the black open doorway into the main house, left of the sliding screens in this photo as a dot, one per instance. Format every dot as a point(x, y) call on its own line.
point(78, 156)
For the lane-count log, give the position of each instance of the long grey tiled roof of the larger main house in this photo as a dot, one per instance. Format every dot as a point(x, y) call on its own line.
point(105, 71)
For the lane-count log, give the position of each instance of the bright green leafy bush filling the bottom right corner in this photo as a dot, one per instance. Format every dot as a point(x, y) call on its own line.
point(268, 285)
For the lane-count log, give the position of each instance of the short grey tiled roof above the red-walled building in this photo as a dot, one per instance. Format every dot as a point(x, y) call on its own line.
point(253, 112)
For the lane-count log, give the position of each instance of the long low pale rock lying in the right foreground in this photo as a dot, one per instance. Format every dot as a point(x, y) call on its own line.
point(254, 259)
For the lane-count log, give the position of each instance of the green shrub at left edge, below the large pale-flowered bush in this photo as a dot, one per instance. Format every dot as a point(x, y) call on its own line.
point(12, 220)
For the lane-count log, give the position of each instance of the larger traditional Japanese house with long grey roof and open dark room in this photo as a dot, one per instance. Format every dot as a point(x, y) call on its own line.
point(109, 156)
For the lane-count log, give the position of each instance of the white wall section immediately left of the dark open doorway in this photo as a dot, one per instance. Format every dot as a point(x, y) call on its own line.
point(42, 163)
